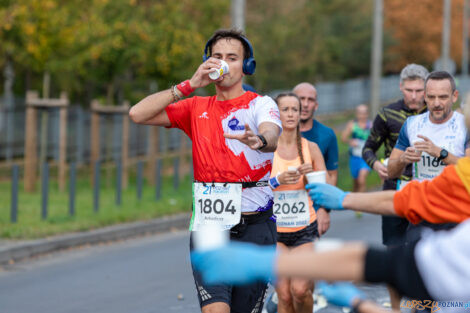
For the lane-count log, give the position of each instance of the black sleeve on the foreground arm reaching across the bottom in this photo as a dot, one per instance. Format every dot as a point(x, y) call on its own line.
point(396, 266)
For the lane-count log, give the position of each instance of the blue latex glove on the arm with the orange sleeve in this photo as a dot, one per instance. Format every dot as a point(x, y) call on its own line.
point(326, 196)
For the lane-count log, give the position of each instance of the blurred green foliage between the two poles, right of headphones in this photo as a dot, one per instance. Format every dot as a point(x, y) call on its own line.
point(309, 40)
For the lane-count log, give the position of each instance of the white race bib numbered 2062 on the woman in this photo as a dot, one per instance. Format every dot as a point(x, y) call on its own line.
point(291, 208)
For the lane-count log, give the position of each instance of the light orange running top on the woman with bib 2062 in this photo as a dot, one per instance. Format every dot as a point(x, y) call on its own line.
point(280, 165)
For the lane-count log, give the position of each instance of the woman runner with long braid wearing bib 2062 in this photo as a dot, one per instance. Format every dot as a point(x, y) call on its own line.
point(296, 220)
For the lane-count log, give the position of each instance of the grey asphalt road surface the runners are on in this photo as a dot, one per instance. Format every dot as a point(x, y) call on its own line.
point(144, 275)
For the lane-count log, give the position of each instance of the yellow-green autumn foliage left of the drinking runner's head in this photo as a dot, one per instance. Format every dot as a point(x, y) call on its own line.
point(98, 46)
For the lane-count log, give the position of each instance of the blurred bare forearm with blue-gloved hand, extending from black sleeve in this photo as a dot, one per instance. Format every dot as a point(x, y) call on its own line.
point(241, 263)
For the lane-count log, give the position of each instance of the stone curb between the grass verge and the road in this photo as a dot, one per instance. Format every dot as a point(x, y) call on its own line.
point(111, 233)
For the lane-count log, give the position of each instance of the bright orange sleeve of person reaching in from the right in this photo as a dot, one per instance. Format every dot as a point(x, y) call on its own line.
point(441, 200)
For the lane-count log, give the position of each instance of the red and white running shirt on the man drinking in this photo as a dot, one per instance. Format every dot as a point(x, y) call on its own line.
point(217, 159)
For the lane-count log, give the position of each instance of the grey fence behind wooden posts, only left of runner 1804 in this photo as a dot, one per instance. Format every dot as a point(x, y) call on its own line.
point(12, 138)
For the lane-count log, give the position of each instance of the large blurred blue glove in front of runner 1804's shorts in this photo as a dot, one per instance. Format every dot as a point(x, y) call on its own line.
point(236, 263)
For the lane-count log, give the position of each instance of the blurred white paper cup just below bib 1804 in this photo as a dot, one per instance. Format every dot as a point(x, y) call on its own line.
point(210, 237)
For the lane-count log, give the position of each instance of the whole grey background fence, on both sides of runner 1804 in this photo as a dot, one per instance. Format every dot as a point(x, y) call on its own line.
point(333, 97)
